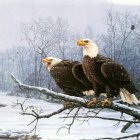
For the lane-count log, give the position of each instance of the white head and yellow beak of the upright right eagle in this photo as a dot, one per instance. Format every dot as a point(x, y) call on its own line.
point(89, 47)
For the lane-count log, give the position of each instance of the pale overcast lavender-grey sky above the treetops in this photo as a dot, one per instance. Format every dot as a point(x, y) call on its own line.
point(79, 13)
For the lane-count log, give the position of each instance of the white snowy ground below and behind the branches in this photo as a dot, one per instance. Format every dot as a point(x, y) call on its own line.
point(10, 119)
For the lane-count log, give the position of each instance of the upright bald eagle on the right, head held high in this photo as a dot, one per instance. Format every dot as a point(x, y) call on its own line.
point(103, 71)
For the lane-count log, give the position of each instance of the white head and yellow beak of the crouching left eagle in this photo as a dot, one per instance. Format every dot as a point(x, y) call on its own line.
point(49, 62)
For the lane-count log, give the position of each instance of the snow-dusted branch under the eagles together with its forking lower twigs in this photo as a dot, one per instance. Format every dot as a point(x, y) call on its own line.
point(135, 113)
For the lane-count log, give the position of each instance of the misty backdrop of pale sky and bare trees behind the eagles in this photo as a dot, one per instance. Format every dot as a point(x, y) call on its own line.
point(33, 29)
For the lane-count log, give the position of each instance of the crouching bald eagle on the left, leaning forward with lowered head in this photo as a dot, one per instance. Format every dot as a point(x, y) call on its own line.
point(69, 76)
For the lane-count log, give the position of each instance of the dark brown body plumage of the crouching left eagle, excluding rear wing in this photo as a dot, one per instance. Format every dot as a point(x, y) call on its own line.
point(63, 76)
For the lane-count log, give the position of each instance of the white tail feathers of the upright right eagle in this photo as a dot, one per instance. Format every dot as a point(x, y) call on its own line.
point(128, 97)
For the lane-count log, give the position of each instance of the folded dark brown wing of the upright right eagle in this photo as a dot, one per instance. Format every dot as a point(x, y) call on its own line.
point(117, 76)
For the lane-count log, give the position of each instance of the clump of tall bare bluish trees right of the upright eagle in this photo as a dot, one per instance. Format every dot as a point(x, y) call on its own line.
point(121, 41)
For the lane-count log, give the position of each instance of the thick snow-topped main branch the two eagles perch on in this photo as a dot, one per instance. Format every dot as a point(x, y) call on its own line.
point(115, 106)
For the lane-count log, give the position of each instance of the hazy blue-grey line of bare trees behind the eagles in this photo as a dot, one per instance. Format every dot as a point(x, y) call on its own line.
point(54, 37)
